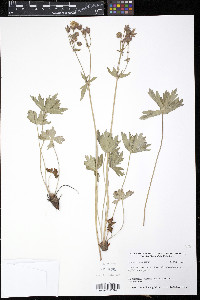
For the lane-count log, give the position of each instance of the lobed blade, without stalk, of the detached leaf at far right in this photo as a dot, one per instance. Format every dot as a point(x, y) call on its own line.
point(167, 103)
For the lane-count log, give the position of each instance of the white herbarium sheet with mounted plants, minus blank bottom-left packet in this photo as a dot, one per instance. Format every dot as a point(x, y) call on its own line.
point(98, 166)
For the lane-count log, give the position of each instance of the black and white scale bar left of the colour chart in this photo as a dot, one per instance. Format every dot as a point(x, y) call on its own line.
point(44, 8)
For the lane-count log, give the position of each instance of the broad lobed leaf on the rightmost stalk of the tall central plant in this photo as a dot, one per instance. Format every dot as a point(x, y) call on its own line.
point(135, 143)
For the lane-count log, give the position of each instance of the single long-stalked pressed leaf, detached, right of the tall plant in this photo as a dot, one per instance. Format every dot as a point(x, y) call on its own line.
point(167, 103)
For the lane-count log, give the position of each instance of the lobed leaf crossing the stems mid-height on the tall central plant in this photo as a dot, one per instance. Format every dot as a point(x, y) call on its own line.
point(107, 142)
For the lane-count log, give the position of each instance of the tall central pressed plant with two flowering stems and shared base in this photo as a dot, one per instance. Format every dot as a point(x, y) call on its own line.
point(111, 156)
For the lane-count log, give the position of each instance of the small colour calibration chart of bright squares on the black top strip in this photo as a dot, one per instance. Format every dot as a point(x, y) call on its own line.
point(122, 8)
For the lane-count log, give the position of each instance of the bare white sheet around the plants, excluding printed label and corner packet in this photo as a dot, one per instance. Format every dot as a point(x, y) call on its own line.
point(36, 58)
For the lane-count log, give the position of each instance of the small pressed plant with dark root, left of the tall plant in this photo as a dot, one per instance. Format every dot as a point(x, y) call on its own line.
point(48, 106)
